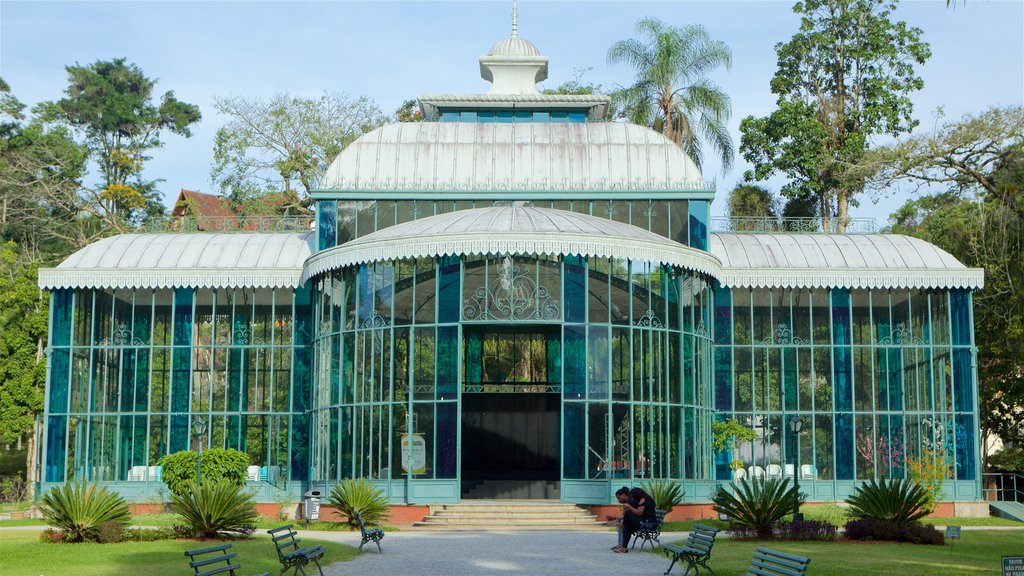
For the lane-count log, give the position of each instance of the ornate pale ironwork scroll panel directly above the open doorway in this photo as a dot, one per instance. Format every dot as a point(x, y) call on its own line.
point(514, 295)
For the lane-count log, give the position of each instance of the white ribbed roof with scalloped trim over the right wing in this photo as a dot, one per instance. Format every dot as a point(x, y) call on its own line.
point(864, 261)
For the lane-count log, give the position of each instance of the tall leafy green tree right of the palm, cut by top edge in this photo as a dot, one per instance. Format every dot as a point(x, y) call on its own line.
point(844, 78)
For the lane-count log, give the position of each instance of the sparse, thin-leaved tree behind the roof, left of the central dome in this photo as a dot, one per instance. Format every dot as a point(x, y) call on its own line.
point(285, 143)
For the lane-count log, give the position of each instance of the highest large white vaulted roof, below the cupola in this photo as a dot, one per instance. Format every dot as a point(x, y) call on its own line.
point(455, 156)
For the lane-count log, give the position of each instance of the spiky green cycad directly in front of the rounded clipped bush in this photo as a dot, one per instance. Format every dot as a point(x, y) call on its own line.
point(216, 509)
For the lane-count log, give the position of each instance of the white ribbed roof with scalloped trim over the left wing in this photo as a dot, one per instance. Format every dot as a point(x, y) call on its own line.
point(203, 261)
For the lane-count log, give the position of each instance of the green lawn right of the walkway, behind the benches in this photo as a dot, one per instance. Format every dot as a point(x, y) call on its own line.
point(977, 554)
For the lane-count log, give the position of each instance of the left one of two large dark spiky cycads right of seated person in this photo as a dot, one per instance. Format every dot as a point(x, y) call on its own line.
point(758, 505)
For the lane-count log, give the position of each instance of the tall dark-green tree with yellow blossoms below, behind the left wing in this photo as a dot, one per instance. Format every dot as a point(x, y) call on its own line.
point(113, 106)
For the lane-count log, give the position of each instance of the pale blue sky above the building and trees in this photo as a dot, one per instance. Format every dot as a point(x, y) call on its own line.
point(393, 52)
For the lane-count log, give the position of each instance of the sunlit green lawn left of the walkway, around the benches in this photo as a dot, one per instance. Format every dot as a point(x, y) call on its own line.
point(24, 555)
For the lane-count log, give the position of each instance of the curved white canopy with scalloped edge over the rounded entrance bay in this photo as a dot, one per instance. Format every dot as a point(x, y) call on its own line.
point(511, 230)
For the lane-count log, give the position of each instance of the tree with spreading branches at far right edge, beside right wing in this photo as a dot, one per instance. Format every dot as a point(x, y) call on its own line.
point(975, 170)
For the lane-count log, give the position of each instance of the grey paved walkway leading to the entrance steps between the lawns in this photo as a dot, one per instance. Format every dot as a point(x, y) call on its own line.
point(505, 554)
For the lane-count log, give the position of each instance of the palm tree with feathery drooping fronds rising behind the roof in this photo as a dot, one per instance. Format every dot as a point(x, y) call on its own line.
point(671, 93)
